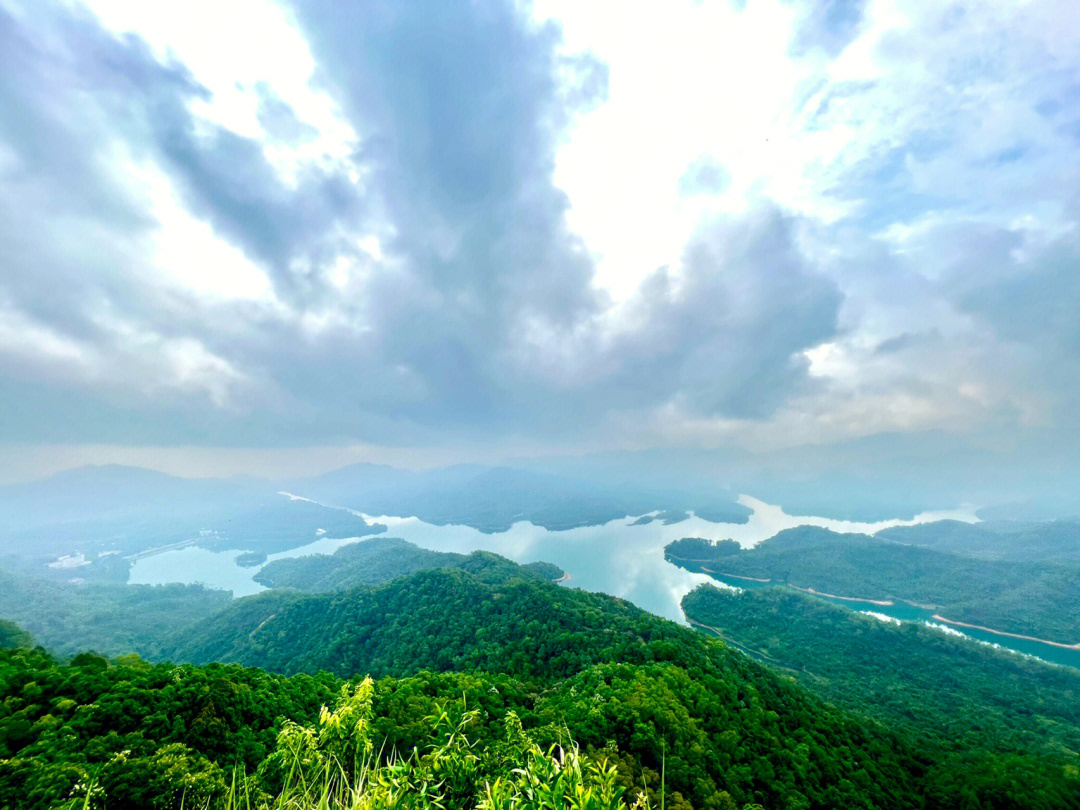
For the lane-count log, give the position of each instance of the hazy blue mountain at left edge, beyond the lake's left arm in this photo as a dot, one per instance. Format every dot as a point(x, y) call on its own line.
point(59, 534)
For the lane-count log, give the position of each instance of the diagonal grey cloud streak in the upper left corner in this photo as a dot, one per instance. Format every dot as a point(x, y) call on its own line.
point(74, 90)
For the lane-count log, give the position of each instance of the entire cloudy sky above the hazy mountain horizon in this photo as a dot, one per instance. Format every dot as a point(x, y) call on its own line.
point(271, 238)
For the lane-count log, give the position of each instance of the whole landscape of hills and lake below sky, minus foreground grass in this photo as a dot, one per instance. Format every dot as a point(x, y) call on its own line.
point(948, 640)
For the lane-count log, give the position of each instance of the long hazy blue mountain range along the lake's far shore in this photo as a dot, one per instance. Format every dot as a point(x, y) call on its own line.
point(131, 509)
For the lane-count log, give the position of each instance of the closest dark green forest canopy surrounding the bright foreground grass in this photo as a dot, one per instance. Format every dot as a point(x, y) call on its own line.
point(146, 736)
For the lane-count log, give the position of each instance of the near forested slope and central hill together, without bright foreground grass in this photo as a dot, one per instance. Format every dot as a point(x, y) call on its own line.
point(632, 690)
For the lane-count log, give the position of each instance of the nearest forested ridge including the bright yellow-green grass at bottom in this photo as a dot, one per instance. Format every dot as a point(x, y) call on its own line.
point(494, 688)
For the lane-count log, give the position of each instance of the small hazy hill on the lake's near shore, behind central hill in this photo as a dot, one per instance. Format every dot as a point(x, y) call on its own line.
point(383, 559)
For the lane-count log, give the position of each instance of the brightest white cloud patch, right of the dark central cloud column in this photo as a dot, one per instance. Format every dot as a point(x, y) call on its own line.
point(687, 82)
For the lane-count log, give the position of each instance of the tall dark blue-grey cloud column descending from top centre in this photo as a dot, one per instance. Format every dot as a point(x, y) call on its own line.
point(461, 107)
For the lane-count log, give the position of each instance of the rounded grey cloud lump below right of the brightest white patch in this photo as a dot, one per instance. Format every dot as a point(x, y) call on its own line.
point(726, 334)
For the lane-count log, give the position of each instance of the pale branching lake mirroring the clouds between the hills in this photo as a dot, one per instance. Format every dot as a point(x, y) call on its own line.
point(616, 558)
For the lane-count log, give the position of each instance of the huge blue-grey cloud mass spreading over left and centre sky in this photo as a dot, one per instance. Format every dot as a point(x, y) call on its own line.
point(483, 320)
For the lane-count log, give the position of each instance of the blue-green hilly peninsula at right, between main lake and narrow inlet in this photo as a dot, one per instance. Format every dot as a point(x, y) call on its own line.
point(1030, 599)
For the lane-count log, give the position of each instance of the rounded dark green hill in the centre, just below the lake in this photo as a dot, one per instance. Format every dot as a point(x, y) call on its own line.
point(443, 620)
